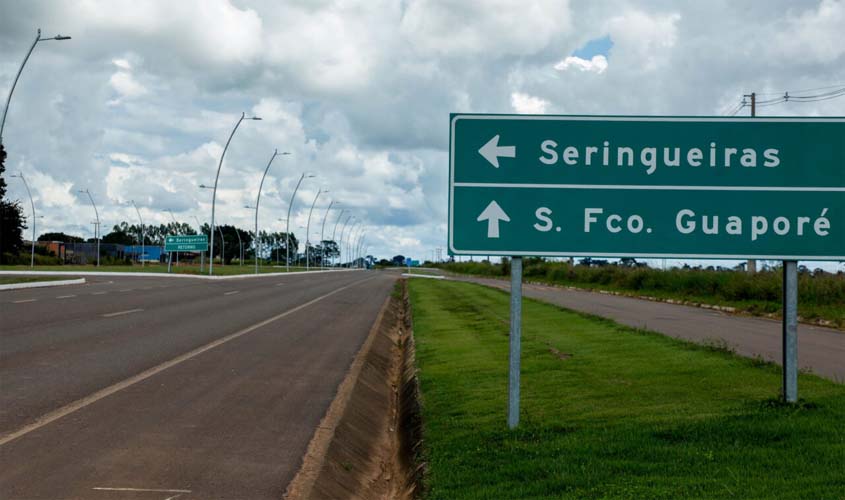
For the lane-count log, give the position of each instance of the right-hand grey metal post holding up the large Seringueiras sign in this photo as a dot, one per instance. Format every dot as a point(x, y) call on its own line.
point(790, 331)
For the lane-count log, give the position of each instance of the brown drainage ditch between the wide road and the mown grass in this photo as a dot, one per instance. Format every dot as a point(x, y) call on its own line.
point(366, 445)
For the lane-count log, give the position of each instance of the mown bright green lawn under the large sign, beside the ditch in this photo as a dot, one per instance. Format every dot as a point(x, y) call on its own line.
point(608, 411)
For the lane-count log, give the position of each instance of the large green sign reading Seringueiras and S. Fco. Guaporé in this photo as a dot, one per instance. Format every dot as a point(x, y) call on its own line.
point(762, 188)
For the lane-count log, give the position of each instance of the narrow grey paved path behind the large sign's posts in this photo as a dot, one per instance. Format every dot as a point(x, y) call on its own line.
point(820, 350)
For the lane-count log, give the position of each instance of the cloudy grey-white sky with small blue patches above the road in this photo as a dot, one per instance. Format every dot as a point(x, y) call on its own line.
point(138, 105)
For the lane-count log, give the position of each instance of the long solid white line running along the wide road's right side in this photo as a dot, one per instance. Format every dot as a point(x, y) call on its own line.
point(108, 391)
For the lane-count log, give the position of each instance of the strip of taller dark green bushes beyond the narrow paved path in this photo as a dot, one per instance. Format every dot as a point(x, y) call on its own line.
point(821, 296)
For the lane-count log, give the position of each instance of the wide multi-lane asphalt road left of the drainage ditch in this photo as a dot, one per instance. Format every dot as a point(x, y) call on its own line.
point(156, 388)
